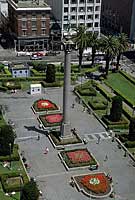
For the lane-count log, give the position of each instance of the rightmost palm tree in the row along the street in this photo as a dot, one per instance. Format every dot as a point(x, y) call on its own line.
point(122, 46)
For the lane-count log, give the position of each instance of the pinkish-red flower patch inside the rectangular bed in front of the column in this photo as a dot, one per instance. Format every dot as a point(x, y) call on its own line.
point(79, 156)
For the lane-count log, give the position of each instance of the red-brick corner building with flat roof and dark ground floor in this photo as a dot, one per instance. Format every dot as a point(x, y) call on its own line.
point(30, 23)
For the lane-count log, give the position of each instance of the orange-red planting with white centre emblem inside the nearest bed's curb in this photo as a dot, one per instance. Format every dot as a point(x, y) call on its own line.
point(97, 183)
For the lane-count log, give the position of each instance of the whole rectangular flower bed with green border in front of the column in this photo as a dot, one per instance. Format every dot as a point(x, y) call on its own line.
point(78, 158)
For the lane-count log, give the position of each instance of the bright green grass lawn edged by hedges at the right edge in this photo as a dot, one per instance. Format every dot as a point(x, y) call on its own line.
point(119, 82)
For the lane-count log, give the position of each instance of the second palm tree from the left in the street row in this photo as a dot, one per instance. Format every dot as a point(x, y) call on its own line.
point(94, 44)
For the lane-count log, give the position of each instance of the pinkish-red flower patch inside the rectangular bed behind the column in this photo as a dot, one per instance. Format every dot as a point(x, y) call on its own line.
point(55, 118)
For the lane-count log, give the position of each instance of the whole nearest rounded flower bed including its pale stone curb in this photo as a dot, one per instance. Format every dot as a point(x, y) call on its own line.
point(95, 185)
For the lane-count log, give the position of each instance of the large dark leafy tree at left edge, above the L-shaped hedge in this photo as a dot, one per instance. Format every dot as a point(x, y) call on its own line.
point(7, 137)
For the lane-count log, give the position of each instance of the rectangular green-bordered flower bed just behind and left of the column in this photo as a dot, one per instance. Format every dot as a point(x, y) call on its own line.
point(51, 119)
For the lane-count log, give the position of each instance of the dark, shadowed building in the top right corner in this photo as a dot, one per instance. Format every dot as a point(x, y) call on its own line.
point(118, 16)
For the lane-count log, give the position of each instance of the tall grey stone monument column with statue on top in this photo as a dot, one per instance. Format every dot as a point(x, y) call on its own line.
point(65, 127)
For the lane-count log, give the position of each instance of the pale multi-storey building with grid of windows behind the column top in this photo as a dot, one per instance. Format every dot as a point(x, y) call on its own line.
point(77, 12)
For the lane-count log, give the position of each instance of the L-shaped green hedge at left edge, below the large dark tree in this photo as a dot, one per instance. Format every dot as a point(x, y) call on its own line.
point(14, 156)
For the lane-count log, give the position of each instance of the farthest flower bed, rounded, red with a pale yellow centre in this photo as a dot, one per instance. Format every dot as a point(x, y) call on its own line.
point(44, 105)
